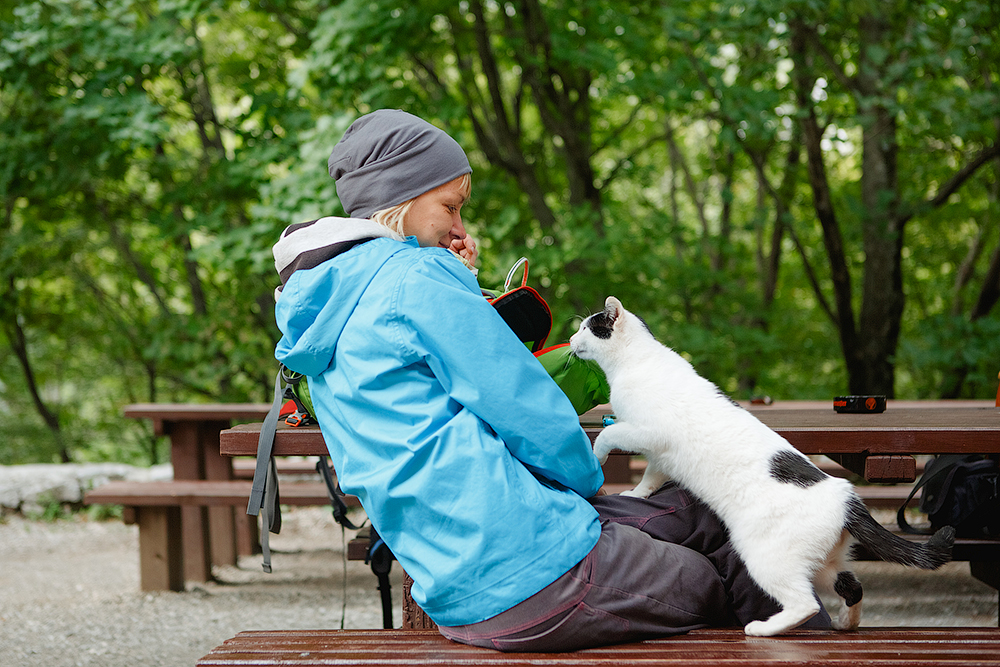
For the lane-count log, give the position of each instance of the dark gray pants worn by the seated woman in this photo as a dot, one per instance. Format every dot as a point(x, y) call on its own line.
point(662, 566)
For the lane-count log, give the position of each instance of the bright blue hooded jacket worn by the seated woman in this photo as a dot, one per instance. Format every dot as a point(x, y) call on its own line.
point(468, 459)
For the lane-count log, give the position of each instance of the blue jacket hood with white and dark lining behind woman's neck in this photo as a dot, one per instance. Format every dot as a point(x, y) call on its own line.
point(317, 297)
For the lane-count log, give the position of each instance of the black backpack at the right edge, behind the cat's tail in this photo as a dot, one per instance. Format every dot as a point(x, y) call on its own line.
point(960, 490)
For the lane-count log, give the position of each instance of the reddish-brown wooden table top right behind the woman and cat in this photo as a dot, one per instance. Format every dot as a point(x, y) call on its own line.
point(904, 428)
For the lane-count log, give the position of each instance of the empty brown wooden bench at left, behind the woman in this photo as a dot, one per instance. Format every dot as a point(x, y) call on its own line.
point(156, 507)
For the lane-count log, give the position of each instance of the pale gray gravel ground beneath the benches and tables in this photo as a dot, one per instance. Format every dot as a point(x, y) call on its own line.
point(69, 594)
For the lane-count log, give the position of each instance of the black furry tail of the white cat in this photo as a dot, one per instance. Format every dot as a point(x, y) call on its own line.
point(891, 548)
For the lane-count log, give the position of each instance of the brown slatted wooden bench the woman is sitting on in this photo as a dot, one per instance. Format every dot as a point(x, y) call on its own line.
point(886, 647)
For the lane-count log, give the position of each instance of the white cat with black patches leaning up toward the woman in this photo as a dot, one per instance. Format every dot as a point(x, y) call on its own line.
point(792, 524)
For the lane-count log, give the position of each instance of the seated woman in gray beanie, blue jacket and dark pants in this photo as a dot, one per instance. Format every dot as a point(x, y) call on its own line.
point(468, 459)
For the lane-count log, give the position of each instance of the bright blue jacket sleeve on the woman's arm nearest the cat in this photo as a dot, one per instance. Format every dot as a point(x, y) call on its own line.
point(441, 315)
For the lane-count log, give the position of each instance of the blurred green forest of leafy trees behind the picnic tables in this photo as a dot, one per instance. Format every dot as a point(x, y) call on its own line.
point(801, 197)
